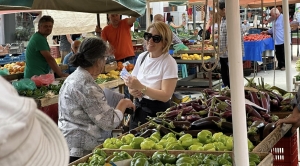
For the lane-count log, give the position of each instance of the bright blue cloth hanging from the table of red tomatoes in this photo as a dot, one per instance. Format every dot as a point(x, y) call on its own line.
point(254, 49)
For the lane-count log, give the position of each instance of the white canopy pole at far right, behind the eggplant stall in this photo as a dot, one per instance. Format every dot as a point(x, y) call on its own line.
point(287, 46)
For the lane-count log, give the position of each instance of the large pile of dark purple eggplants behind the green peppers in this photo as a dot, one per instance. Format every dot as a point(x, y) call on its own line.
point(213, 112)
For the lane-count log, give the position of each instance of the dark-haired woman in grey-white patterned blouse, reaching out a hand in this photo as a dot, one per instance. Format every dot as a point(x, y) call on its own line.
point(85, 118)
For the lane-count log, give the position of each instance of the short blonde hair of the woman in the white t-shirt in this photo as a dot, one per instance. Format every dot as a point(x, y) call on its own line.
point(165, 32)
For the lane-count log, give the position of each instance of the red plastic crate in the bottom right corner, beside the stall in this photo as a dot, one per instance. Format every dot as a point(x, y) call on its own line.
point(285, 151)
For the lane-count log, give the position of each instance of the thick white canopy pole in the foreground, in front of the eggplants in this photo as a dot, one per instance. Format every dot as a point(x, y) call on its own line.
point(241, 156)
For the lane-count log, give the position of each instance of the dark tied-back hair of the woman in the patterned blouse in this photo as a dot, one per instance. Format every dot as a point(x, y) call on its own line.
point(90, 50)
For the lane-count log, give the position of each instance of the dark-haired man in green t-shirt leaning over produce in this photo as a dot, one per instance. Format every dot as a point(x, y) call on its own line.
point(38, 57)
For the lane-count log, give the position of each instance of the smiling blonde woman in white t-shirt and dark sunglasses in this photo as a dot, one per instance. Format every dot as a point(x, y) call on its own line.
point(154, 76)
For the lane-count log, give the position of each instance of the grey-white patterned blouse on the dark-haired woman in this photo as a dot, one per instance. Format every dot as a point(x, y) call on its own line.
point(85, 118)
